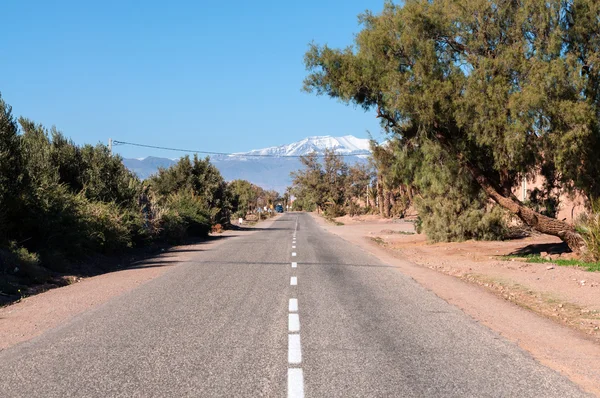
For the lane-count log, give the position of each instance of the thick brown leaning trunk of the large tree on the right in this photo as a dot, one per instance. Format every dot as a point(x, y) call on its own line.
point(537, 221)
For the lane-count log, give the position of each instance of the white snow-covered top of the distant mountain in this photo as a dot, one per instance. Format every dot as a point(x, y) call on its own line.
point(347, 145)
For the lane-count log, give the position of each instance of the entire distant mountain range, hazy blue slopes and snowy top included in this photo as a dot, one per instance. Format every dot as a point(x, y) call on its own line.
point(269, 168)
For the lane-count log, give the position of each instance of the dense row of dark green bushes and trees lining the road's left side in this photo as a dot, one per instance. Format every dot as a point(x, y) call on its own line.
point(63, 204)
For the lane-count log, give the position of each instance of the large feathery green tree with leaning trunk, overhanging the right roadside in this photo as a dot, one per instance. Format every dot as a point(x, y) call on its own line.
point(504, 87)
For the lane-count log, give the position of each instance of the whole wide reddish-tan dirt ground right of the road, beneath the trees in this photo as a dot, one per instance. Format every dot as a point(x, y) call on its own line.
point(547, 311)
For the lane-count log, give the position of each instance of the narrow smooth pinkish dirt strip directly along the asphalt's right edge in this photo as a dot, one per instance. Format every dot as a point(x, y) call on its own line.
point(563, 349)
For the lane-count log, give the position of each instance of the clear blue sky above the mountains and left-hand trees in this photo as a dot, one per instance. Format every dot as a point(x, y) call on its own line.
point(217, 76)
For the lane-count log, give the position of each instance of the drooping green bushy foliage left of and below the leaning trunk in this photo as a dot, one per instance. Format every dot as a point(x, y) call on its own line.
point(450, 204)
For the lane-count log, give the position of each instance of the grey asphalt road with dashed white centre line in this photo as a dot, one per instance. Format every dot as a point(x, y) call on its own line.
point(223, 325)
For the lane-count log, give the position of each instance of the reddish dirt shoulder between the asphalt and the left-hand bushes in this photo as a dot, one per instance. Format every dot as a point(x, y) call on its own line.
point(34, 315)
